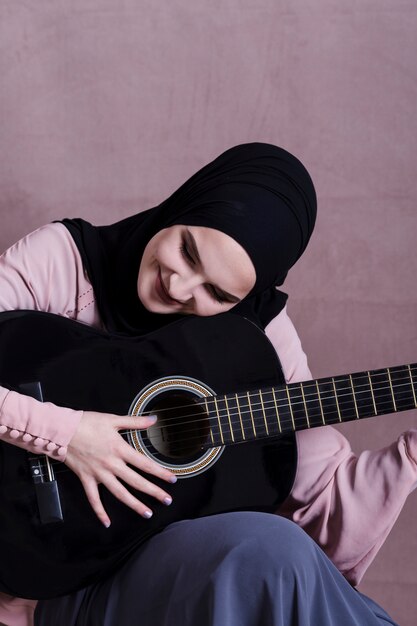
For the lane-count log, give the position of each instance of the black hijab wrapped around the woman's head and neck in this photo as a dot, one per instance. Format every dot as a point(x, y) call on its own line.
point(257, 193)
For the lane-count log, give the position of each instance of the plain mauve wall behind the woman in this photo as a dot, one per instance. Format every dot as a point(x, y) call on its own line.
point(107, 106)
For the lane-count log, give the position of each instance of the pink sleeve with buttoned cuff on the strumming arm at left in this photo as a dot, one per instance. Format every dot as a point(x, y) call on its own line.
point(42, 271)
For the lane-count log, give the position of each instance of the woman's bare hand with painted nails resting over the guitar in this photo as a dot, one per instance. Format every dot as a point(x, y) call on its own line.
point(98, 454)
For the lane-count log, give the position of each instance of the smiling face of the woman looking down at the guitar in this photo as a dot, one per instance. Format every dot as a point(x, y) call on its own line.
point(194, 269)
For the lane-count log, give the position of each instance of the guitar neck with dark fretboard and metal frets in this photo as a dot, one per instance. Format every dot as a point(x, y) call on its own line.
point(270, 412)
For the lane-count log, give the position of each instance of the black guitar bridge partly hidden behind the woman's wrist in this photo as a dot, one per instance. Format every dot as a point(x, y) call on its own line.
point(46, 487)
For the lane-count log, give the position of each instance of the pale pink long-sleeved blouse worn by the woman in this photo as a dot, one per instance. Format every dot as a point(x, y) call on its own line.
point(331, 497)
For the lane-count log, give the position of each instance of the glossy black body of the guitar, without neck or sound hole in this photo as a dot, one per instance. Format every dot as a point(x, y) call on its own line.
point(83, 368)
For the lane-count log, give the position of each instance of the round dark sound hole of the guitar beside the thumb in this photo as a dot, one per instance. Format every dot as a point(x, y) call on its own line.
point(182, 427)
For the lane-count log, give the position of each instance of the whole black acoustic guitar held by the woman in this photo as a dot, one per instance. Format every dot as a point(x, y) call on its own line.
point(215, 384)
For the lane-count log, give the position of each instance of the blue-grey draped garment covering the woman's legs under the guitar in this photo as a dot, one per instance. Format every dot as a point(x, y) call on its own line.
point(234, 569)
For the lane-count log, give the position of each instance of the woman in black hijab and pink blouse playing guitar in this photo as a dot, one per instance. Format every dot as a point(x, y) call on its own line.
point(225, 239)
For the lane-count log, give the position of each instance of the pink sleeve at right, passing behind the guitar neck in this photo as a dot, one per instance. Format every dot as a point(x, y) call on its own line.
point(347, 503)
